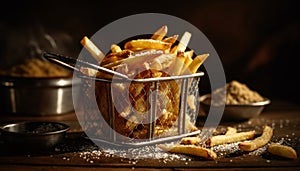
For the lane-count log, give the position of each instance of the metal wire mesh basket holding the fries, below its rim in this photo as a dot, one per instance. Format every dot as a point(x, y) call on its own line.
point(133, 112)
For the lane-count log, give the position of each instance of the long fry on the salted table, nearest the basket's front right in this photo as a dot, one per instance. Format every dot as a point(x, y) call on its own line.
point(190, 150)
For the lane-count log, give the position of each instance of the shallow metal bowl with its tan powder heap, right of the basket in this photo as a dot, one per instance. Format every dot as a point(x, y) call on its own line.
point(241, 103)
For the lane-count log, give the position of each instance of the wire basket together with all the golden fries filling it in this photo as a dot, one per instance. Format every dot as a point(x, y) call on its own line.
point(156, 63)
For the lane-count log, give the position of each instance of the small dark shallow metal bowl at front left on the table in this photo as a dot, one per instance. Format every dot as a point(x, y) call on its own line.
point(34, 134)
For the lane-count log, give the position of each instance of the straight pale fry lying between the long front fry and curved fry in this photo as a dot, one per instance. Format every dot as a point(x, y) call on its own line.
point(224, 139)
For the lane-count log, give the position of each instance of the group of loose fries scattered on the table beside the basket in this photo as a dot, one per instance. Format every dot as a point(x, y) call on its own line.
point(246, 141)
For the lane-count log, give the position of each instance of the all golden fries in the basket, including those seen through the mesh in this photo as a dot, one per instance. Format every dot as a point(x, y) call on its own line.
point(157, 56)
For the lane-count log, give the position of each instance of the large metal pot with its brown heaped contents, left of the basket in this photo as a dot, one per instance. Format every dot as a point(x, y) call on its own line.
point(36, 87)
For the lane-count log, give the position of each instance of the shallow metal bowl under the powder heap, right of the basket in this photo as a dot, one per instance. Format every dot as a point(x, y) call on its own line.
point(235, 112)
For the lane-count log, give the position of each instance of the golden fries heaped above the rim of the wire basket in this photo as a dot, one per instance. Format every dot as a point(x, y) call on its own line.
point(157, 54)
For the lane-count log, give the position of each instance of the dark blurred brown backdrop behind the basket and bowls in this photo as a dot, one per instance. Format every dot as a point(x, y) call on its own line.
point(257, 41)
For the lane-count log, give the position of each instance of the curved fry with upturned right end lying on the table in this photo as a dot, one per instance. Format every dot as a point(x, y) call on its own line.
point(259, 141)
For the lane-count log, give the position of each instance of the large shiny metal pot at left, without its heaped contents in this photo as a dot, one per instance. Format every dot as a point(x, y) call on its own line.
point(37, 96)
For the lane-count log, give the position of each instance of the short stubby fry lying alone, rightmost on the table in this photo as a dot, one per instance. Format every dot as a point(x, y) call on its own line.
point(282, 150)
